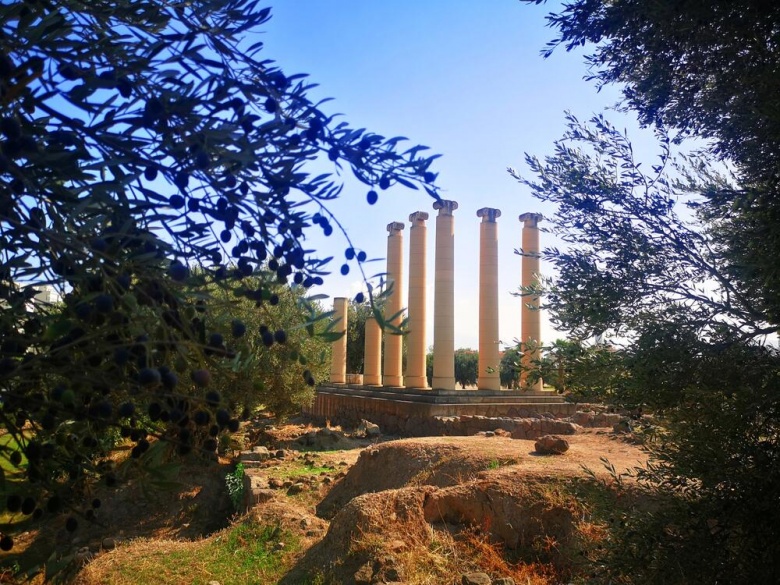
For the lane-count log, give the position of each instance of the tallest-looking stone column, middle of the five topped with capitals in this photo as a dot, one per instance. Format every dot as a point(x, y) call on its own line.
point(444, 297)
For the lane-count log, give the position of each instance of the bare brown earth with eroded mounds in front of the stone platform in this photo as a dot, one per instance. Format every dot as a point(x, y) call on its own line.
point(408, 510)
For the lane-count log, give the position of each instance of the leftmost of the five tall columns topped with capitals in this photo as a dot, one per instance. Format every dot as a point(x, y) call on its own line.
point(393, 375)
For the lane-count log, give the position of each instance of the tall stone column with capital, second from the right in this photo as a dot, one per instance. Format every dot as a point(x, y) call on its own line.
point(489, 358)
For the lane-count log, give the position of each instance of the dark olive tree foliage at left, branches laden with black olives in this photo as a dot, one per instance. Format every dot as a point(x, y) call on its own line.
point(151, 155)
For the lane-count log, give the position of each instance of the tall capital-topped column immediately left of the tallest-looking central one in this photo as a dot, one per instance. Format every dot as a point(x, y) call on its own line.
point(418, 274)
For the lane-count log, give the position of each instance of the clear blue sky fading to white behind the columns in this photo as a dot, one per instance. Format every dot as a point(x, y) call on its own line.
point(465, 78)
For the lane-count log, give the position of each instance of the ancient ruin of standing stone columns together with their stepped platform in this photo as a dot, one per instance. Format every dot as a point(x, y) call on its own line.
point(402, 399)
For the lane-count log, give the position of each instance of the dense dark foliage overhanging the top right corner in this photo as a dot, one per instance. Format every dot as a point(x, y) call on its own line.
point(706, 68)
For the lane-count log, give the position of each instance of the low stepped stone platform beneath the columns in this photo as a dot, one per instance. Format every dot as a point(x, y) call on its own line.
point(402, 409)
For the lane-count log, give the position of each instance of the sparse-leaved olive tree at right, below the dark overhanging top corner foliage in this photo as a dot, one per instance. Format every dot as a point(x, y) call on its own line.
point(691, 347)
